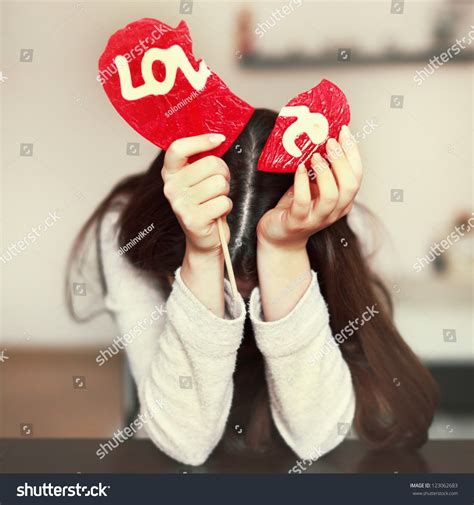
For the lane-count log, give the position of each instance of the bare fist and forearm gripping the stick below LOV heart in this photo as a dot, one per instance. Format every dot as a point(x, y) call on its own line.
point(197, 193)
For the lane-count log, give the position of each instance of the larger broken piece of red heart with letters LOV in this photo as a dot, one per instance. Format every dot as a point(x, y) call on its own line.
point(163, 91)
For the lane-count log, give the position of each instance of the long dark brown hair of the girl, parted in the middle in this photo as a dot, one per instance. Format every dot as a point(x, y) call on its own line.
point(378, 357)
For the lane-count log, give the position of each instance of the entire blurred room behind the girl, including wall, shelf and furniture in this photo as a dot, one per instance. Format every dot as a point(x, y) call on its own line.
point(64, 147)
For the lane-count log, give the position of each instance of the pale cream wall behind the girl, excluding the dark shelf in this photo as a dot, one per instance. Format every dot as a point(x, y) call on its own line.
point(79, 140)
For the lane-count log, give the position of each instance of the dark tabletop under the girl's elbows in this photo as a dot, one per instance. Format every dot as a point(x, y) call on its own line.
point(141, 456)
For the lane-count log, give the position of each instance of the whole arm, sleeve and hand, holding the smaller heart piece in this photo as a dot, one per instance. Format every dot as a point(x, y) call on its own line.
point(312, 401)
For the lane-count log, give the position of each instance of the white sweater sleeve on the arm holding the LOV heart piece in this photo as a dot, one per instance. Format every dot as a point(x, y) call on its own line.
point(182, 356)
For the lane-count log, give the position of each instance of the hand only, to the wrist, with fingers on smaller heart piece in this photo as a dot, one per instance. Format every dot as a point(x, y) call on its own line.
point(318, 198)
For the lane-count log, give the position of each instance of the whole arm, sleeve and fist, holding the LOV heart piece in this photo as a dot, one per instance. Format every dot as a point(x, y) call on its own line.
point(183, 363)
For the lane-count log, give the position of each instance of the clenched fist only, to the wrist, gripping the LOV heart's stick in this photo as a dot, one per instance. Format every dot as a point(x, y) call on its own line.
point(197, 192)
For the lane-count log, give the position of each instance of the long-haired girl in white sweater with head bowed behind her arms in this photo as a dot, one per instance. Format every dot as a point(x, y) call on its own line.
point(315, 352)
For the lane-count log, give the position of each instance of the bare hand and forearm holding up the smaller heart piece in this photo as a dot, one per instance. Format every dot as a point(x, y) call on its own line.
point(318, 198)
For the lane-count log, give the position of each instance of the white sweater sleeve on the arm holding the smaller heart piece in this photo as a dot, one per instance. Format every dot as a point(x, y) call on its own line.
point(312, 399)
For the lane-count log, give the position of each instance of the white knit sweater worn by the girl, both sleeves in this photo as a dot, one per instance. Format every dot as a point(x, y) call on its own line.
point(183, 357)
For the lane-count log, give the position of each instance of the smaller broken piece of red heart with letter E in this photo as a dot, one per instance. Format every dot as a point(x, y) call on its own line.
point(303, 127)
